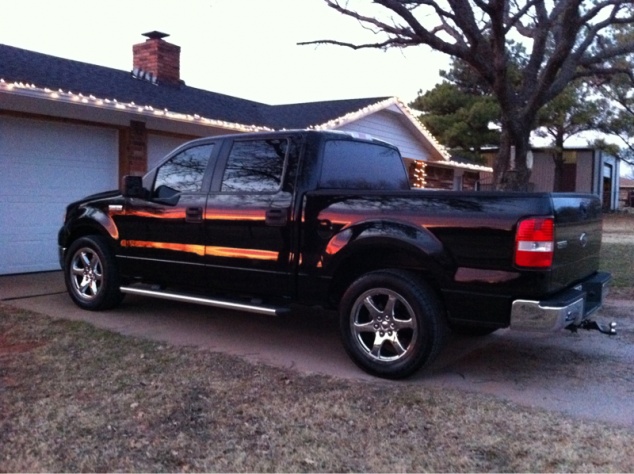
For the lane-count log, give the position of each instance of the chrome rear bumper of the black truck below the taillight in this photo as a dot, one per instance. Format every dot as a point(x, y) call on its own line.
point(569, 307)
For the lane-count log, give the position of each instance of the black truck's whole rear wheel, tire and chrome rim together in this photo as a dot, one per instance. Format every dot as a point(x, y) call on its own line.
point(391, 323)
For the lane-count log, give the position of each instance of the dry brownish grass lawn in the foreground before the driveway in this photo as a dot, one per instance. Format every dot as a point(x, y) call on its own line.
point(75, 398)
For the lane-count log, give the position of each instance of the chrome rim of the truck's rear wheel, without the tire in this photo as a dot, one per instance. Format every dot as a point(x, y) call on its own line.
point(383, 324)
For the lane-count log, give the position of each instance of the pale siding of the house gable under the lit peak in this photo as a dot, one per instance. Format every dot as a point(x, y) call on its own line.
point(388, 126)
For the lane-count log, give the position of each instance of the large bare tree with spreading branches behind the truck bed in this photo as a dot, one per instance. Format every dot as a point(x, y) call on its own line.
point(565, 40)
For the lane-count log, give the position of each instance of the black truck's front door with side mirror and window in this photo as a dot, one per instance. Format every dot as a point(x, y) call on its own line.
point(162, 236)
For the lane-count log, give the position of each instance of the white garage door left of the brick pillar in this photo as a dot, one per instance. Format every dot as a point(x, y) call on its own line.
point(43, 167)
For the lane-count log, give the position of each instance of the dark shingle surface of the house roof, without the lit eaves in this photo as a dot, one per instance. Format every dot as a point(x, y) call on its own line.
point(45, 71)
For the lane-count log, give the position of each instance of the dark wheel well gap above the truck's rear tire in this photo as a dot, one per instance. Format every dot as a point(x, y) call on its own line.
point(372, 259)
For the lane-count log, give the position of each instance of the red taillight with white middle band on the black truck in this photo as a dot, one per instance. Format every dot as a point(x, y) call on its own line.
point(535, 242)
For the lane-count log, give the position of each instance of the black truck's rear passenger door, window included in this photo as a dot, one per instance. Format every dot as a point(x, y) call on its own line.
point(249, 229)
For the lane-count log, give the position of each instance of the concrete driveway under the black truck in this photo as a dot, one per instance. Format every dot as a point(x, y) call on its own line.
point(587, 375)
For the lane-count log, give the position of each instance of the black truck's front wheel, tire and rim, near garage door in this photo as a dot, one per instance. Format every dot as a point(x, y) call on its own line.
point(91, 274)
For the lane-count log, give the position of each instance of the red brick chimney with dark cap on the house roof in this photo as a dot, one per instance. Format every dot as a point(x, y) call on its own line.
point(158, 58)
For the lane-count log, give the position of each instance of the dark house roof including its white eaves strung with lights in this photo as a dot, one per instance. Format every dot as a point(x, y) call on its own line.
point(45, 76)
